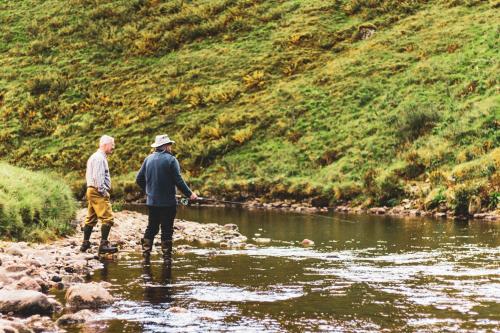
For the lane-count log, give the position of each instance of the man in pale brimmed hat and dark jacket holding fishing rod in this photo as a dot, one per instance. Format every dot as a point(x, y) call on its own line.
point(158, 177)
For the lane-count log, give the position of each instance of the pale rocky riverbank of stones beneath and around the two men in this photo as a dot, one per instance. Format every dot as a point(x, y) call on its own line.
point(31, 273)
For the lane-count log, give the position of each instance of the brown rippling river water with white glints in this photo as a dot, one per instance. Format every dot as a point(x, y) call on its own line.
point(364, 274)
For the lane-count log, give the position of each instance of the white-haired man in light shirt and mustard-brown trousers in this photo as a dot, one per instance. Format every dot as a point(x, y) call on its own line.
point(98, 187)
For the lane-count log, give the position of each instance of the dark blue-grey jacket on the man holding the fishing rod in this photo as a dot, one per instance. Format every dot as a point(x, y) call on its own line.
point(159, 175)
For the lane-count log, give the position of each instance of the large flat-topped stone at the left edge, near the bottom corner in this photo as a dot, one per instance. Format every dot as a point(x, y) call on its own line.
point(25, 302)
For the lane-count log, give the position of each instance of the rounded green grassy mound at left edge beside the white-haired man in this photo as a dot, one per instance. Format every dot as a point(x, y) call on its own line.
point(34, 206)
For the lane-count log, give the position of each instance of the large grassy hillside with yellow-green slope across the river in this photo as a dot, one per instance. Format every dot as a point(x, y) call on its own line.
point(338, 100)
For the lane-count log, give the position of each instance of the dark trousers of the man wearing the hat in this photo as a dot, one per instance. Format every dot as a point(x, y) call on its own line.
point(160, 216)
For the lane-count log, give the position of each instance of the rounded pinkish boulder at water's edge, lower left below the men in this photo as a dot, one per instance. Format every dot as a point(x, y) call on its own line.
point(88, 295)
